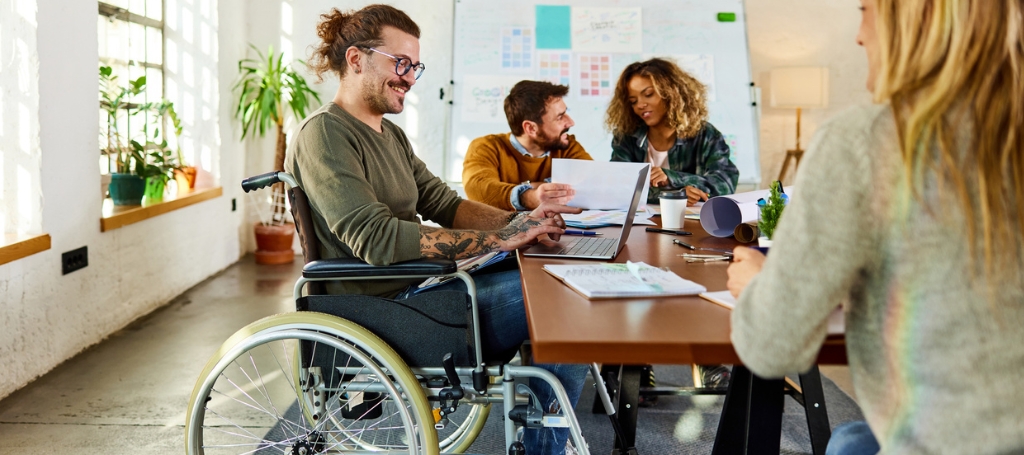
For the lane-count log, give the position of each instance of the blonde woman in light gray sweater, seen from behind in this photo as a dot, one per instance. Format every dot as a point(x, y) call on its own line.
point(911, 213)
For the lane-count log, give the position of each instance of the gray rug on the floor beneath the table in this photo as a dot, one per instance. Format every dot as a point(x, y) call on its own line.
point(680, 425)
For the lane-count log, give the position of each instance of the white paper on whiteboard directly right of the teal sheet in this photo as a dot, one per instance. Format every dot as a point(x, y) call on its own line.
point(608, 30)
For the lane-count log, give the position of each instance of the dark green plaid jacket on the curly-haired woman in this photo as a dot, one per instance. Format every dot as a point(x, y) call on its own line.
point(702, 161)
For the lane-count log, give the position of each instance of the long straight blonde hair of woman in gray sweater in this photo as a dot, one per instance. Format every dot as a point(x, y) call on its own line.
point(947, 65)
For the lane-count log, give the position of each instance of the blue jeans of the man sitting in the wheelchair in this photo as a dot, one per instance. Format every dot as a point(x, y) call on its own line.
point(503, 328)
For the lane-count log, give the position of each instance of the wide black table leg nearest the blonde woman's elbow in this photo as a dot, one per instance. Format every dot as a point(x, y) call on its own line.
point(752, 417)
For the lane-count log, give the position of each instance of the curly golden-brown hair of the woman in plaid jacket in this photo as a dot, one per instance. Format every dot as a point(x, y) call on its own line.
point(686, 96)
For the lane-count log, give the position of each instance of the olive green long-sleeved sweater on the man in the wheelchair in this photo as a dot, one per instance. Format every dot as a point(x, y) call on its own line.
point(365, 190)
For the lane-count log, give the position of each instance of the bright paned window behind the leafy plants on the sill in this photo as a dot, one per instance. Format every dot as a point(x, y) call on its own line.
point(132, 44)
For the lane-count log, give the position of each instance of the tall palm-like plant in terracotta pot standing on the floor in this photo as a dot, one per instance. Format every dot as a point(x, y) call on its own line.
point(268, 90)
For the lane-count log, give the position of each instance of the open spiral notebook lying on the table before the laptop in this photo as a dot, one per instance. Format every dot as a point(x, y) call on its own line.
point(623, 280)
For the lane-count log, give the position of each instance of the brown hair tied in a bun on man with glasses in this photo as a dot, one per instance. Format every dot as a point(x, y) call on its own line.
point(339, 31)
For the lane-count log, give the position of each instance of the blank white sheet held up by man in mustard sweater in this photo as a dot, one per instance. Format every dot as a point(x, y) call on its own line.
point(601, 185)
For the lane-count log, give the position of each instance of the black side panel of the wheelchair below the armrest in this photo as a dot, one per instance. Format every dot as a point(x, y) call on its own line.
point(421, 329)
